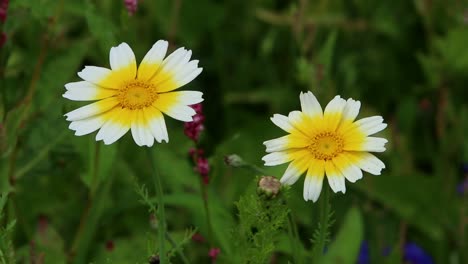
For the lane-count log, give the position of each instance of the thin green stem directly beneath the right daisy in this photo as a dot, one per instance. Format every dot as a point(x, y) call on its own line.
point(325, 208)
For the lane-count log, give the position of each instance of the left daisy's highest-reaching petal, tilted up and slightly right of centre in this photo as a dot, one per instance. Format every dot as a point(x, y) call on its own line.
point(152, 61)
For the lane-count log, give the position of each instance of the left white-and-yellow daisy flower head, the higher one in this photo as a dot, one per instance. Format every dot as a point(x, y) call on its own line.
point(134, 98)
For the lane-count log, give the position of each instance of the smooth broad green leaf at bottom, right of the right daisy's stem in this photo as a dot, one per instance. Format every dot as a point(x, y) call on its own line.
point(345, 248)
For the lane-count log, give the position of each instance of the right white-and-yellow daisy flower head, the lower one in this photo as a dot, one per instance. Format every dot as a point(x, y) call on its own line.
point(328, 142)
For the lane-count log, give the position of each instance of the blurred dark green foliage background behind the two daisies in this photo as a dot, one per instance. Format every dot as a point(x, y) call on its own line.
point(72, 200)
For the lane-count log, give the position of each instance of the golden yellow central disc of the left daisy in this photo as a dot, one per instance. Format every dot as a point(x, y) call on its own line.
point(137, 95)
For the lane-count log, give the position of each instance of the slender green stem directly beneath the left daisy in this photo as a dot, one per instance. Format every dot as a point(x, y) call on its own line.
point(161, 214)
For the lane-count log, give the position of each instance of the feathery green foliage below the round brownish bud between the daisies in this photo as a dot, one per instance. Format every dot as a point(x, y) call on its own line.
point(261, 220)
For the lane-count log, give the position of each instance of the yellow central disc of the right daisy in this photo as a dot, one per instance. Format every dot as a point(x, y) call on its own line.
point(326, 145)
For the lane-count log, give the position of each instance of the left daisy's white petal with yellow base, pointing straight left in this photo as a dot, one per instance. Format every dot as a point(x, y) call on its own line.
point(86, 91)
